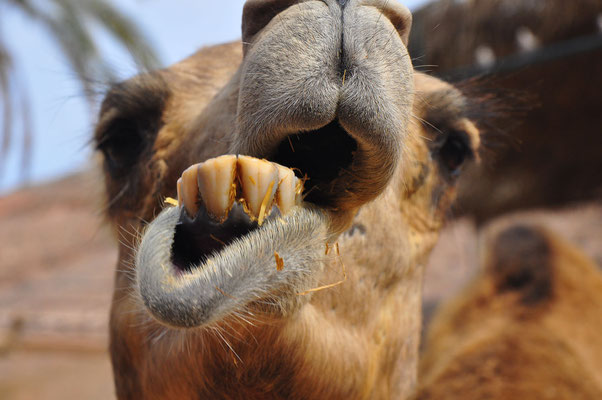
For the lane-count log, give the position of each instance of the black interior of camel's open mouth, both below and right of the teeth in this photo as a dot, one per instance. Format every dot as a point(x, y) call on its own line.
point(317, 157)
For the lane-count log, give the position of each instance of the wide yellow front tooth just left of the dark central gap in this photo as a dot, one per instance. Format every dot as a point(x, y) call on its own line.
point(217, 186)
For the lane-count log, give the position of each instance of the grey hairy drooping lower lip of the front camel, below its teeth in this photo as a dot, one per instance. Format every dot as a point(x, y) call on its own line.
point(228, 280)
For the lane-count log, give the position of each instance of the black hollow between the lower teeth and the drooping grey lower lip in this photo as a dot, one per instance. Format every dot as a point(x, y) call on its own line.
point(197, 239)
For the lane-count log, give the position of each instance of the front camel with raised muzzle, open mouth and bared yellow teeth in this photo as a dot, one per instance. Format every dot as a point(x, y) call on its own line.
point(318, 297)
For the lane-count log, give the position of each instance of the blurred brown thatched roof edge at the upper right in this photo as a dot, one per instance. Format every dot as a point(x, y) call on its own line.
point(495, 23)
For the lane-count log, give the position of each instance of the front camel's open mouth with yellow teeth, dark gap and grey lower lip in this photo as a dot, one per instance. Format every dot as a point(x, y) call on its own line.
point(244, 222)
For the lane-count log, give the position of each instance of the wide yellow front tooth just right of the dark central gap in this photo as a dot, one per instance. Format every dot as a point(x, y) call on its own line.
point(259, 181)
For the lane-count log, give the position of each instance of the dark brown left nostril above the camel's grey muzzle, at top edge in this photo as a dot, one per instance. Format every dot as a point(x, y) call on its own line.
point(257, 14)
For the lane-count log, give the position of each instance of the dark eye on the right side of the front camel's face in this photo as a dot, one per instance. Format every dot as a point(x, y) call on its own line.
point(452, 149)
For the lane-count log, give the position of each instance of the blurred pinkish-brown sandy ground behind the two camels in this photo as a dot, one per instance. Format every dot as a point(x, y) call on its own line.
point(56, 270)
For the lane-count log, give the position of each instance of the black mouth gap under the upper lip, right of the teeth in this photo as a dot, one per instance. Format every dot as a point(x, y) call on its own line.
point(322, 155)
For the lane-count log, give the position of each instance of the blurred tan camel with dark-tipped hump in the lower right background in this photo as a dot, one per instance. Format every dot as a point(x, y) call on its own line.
point(528, 327)
